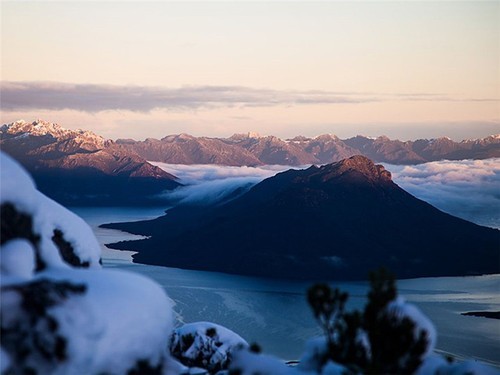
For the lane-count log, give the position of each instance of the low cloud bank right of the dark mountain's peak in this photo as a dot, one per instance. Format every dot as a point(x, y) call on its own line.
point(469, 189)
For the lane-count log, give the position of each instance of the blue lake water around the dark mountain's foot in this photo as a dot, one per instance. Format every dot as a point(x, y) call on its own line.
point(275, 314)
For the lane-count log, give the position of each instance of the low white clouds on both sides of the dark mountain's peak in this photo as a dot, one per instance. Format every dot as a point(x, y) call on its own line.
point(469, 189)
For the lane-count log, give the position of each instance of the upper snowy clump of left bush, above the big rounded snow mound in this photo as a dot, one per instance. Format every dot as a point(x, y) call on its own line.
point(58, 236)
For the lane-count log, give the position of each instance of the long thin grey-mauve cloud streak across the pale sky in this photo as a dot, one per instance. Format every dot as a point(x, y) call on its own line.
point(96, 98)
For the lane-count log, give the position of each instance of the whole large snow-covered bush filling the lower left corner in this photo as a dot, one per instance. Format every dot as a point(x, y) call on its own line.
point(60, 312)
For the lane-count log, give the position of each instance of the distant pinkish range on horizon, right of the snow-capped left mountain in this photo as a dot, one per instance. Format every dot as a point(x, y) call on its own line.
point(252, 149)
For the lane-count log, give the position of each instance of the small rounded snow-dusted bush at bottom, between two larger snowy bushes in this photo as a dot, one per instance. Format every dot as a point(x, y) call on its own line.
point(205, 345)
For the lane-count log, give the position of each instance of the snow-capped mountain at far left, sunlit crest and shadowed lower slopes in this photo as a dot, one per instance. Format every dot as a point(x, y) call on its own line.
point(80, 167)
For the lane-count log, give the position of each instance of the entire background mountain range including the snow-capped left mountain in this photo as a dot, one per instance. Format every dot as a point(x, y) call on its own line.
point(78, 167)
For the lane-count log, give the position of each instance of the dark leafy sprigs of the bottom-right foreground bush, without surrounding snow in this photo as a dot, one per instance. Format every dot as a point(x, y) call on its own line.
point(374, 341)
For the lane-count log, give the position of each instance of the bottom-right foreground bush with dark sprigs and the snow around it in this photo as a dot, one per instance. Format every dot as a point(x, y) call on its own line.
point(389, 337)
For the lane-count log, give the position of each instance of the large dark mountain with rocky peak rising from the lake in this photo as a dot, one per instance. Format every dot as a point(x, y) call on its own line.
point(338, 221)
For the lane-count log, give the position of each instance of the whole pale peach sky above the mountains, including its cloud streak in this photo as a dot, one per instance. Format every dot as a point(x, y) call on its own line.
point(148, 69)
